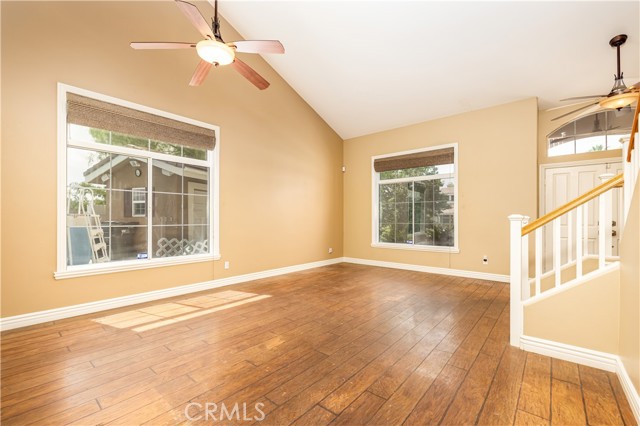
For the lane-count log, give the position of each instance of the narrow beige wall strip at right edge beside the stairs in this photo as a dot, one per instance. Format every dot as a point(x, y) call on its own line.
point(630, 292)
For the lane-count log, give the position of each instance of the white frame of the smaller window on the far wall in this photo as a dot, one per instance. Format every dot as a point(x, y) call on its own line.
point(375, 180)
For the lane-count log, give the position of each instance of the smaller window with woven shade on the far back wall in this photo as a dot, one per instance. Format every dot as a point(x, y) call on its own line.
point(415, 199)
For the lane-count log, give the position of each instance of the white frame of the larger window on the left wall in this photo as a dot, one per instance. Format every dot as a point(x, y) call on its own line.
point(212, 162)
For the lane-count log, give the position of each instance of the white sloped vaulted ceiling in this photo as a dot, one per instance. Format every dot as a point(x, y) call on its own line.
point(368, 66)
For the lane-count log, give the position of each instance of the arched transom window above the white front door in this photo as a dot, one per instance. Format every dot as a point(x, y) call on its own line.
point(601, 131)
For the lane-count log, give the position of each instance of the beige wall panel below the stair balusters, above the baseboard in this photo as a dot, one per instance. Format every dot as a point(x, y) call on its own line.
point(584, 316)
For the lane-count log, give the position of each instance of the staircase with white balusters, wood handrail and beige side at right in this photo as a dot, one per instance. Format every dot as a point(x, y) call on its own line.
point(575, 301)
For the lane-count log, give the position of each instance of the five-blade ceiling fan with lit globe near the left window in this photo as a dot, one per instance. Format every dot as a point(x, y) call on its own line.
point(213, 51)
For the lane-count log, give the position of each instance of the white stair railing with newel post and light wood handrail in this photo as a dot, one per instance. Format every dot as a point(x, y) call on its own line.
point(577, 257)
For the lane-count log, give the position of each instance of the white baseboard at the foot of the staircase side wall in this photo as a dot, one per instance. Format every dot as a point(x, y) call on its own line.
point(588, 357)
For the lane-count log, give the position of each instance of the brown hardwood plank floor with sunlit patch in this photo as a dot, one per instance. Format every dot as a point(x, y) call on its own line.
point(340, 345)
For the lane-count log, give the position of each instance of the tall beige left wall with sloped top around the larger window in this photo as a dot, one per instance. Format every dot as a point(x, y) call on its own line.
point(281, 183)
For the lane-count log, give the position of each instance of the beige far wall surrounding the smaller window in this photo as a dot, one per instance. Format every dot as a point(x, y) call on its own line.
point(497, 171)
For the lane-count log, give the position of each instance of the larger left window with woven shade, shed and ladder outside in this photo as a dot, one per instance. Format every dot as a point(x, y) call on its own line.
point(138, 187)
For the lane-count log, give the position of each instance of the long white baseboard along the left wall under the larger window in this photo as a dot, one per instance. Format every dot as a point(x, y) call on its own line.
point(24, 320)
